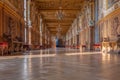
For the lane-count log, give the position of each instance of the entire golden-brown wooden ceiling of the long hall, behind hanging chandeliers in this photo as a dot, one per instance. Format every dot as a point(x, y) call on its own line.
point(48, 9)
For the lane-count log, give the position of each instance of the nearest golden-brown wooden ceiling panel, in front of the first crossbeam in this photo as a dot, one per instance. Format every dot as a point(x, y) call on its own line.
point(54, 4)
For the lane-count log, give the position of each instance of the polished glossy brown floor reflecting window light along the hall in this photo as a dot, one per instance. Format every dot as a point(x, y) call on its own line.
point(60, 64)
